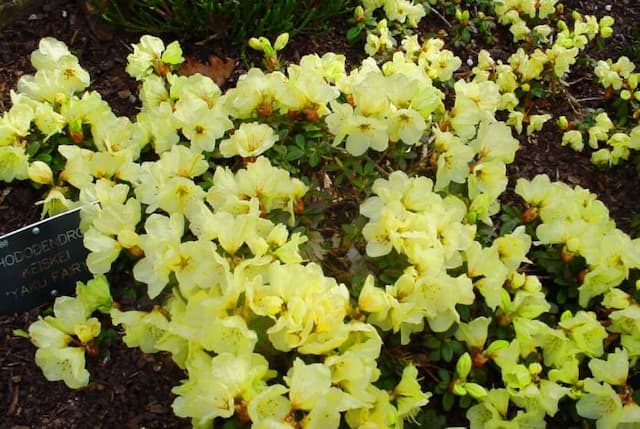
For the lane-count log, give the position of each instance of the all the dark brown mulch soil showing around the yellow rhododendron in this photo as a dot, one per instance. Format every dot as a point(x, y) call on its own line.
point(133, 390)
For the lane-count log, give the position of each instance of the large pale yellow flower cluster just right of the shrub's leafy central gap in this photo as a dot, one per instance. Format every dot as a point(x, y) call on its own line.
point(408, 217)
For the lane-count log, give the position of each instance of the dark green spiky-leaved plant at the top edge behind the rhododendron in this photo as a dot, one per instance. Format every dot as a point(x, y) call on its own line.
point(221, 19)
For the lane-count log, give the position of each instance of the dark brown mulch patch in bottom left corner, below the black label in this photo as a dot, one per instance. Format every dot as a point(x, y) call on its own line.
point(128, 390)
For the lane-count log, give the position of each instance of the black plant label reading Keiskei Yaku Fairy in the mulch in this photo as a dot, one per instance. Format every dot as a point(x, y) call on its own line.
point(41, 261)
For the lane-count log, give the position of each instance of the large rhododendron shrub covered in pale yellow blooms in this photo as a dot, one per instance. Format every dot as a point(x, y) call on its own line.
point(192, 199)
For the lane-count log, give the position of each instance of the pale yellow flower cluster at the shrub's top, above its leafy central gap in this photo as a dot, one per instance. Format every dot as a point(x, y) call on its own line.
point(404, 103)
